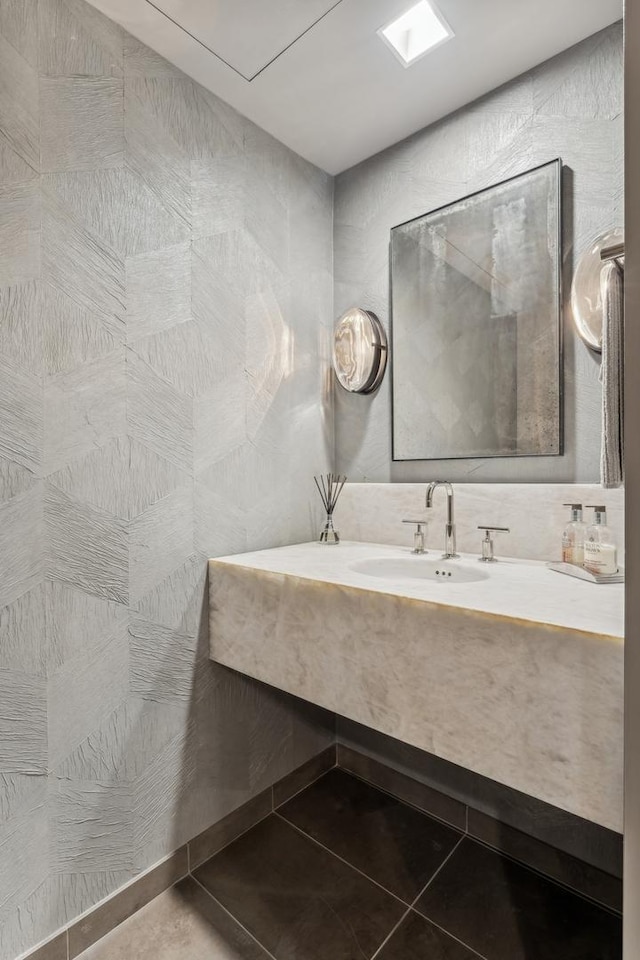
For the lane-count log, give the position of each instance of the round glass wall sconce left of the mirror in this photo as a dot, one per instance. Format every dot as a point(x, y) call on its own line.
point(359, 351)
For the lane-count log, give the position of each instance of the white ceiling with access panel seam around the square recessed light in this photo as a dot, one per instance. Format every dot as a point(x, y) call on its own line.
point(316, 76)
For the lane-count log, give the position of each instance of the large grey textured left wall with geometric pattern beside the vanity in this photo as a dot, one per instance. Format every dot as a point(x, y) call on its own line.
point(165, 293)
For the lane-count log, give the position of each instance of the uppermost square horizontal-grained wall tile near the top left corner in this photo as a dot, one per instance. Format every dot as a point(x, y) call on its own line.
point(81, 125)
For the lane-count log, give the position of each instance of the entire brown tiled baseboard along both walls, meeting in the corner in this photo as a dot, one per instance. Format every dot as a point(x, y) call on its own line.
point(565, 869)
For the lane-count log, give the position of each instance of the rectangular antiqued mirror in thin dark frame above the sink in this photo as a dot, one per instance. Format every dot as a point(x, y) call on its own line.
point(476, 324)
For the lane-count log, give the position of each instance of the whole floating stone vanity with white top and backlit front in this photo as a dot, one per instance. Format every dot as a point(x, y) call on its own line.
point(507, 669)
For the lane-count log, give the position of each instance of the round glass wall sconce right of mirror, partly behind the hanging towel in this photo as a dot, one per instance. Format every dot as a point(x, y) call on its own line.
point(586, 296)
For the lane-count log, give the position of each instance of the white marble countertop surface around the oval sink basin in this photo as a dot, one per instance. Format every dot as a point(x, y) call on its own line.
point(514, 589)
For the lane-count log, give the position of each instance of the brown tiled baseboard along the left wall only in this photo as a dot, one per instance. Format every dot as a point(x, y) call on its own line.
point(69, 943)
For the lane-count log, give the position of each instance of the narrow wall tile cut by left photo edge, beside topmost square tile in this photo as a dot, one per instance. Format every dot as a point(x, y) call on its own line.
point(19, 104)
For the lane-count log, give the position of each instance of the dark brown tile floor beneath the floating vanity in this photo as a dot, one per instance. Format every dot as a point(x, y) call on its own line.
point(345, 872)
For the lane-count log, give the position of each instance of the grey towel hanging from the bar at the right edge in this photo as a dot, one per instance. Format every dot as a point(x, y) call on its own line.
point(612, 376)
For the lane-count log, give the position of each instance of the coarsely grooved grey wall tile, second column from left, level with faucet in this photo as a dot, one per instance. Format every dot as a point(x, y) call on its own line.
point(87, 547)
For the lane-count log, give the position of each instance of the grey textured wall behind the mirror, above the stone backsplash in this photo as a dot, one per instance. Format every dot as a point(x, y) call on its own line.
point(569, 107)
